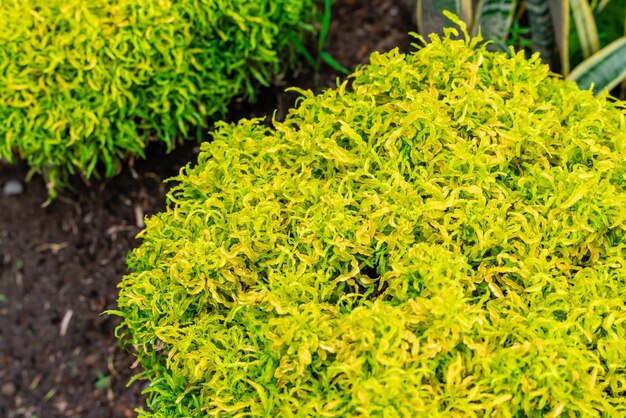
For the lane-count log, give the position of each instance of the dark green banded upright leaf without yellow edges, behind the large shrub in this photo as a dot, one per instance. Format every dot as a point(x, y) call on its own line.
point(541, 29)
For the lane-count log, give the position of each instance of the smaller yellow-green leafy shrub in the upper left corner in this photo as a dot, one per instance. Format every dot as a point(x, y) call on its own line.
point(84, 84)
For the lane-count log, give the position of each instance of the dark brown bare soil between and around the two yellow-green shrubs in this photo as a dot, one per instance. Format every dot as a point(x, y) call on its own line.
point(59, 265)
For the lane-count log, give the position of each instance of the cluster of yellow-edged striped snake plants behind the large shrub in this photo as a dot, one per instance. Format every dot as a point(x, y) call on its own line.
point(586, 35)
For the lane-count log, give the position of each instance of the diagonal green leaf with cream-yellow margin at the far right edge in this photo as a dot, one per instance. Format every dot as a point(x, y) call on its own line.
point(605, 69)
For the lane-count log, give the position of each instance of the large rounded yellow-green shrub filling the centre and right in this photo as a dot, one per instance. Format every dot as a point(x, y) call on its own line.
point(443, 236)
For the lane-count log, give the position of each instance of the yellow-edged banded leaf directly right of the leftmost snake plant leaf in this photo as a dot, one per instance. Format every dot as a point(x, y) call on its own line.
point(494, 18)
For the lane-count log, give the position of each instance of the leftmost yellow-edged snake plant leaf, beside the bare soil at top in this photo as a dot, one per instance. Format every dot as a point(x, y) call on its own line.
point(430, 18)
